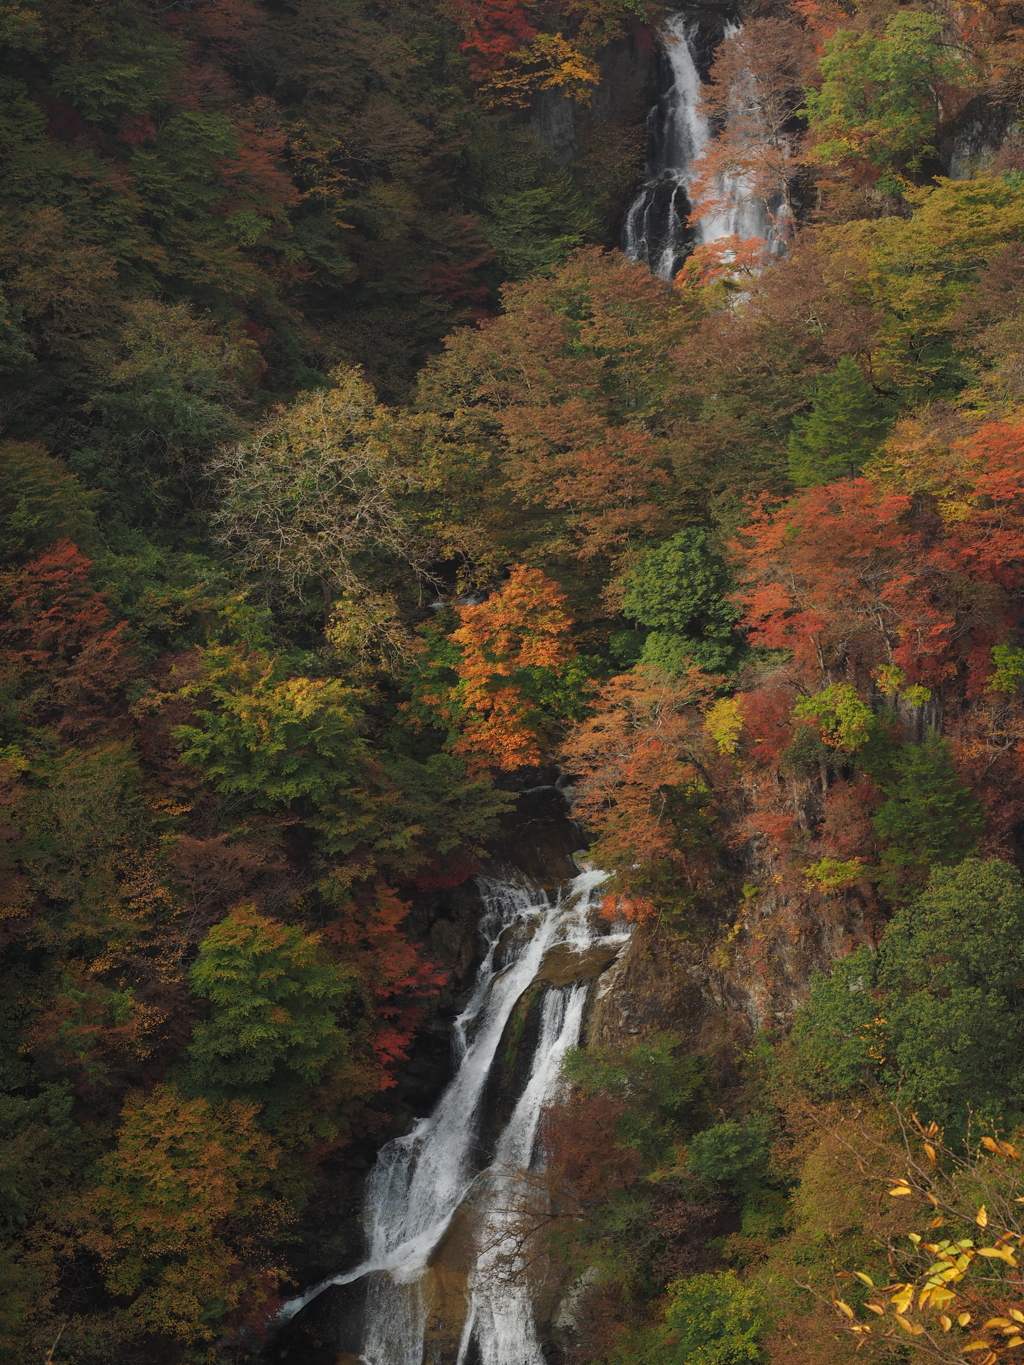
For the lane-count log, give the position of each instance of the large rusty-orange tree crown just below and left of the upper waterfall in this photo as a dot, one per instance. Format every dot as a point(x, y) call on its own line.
point(555, 407)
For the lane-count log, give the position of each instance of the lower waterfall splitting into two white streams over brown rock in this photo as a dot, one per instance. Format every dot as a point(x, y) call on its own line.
point(432, 1175)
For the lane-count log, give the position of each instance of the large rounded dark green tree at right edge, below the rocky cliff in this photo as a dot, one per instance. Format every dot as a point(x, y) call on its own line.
point(939, 1016)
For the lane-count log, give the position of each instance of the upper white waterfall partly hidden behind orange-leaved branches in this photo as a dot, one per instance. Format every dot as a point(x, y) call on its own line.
point(656, 229)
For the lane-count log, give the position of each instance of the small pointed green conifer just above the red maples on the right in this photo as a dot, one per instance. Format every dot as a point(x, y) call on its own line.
point(843, 428)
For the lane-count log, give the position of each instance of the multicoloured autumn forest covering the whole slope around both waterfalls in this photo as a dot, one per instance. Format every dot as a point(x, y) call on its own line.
point(347, 481)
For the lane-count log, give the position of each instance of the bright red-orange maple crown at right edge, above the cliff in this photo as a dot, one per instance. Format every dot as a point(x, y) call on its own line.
point(850, 578)
